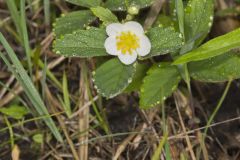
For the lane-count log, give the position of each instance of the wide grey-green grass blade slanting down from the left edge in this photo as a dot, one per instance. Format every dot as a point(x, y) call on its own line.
point(28, 86)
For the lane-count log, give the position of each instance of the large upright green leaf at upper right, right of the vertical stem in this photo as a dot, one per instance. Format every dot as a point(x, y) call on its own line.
point(198, 19)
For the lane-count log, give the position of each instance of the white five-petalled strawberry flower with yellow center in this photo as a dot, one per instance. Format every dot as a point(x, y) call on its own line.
point(127, 41)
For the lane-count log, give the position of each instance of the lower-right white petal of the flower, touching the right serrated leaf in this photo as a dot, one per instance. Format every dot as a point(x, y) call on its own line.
point(145, 46)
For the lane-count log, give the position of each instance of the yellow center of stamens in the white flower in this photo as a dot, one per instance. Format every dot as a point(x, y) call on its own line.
point(127, 42)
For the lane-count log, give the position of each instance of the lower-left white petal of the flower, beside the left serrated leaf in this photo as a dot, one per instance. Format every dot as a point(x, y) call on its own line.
point(110, 46)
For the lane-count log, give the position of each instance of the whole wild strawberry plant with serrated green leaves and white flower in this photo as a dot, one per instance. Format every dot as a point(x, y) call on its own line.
point(113, 29)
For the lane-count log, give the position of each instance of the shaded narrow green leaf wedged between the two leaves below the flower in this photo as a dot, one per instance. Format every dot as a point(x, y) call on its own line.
point(141, 71)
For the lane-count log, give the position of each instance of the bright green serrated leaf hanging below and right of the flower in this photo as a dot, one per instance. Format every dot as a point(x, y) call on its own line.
point(159, 83)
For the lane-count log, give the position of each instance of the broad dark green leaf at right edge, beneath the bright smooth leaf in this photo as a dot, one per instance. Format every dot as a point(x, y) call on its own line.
point(217, 69)
